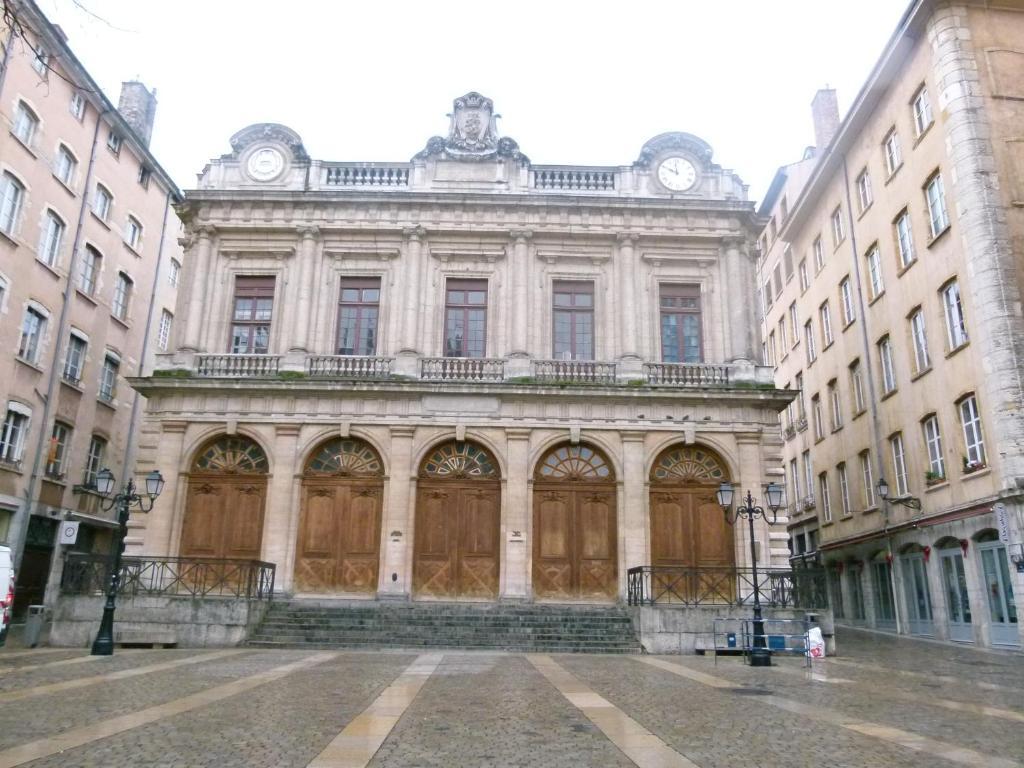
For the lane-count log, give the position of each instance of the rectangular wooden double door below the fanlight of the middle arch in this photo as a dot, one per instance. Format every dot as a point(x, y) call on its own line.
point(456, 553)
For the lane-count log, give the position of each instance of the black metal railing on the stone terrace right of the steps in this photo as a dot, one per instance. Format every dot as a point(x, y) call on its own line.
point(676, 585)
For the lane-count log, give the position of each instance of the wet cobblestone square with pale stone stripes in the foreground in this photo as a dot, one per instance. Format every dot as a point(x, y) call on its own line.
point(884, 703)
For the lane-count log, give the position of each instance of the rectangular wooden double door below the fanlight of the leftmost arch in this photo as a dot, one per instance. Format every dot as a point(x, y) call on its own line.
point(225, 518)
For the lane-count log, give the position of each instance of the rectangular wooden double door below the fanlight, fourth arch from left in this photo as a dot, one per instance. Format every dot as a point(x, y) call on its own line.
point(575, 542)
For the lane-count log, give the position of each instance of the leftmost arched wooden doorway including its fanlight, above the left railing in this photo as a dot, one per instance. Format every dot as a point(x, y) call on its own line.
point(227, 496)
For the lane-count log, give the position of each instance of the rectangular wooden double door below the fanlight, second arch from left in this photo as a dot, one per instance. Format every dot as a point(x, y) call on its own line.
point(338, 547)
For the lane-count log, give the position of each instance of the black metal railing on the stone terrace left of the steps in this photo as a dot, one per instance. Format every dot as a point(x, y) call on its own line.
point(182, 577)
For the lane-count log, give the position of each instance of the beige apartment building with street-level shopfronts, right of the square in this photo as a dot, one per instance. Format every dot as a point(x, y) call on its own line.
point(891, 281)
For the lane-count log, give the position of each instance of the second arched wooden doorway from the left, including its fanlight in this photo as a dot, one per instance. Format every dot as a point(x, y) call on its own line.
point(338, 547)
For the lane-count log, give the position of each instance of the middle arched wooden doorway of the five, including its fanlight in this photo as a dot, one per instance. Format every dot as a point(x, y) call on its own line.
point(458, 520)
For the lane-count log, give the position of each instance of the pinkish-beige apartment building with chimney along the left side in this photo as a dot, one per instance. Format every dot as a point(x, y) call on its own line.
point(90, 266)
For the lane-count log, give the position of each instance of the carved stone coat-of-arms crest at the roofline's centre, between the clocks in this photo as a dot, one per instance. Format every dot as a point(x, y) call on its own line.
point(473, 135)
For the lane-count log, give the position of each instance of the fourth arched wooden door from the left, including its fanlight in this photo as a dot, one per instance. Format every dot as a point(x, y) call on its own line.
point(575, 527)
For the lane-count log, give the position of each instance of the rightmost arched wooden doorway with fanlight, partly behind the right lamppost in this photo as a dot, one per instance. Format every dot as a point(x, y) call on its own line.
point(688, 528)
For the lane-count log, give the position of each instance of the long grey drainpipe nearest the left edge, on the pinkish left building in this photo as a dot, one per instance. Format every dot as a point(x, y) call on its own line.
point(25, 513)
